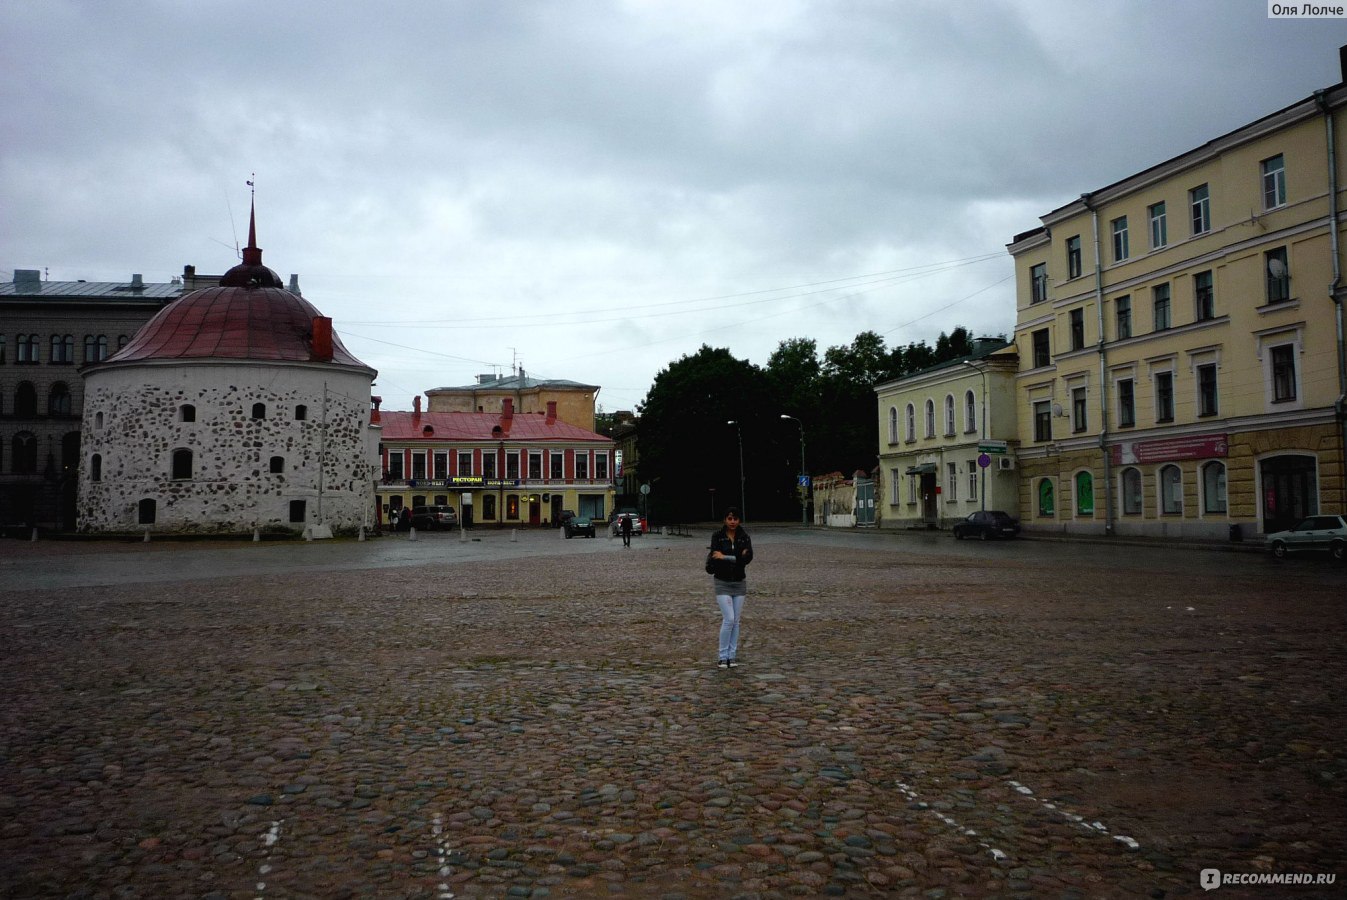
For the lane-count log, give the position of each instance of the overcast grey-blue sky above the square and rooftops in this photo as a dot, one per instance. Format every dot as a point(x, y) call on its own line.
point(596, 189)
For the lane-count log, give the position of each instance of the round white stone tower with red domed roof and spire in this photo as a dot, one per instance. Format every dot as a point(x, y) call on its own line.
point(236, 408)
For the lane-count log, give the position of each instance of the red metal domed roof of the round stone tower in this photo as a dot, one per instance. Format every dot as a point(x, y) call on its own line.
point(234, 324)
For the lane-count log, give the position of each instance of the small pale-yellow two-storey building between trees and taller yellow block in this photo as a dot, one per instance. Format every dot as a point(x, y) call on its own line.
point(931, 428)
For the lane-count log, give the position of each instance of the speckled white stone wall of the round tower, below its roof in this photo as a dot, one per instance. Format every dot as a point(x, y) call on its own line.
point(134, 422)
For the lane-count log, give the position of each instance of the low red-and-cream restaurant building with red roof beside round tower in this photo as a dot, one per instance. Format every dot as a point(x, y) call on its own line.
point(495, 468)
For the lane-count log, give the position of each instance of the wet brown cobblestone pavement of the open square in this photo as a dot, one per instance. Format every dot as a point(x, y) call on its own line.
point(535, 719)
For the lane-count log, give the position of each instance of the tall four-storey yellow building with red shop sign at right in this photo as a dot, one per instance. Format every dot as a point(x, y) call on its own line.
point(1181, 339)
